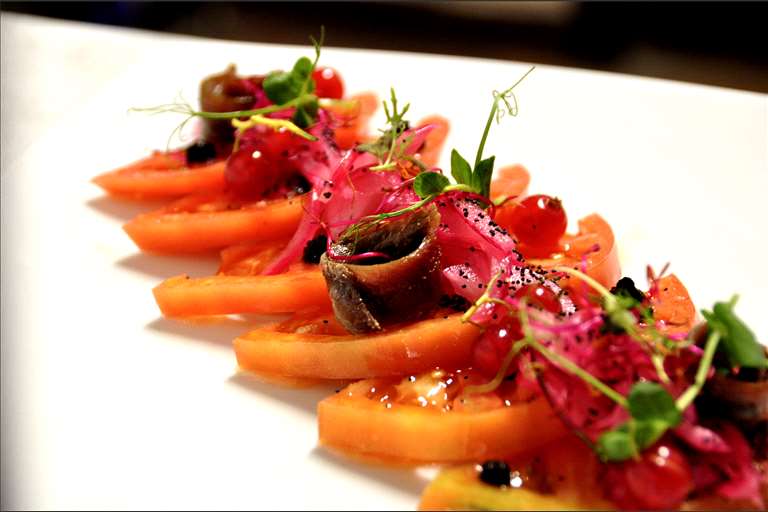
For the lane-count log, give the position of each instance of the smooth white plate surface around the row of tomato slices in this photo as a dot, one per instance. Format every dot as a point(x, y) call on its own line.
point(107, 405)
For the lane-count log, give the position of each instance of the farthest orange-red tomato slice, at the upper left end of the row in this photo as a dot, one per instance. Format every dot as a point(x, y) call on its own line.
point(162, 175)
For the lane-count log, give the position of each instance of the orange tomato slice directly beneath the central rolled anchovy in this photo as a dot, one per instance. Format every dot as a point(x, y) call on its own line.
point(301, 350)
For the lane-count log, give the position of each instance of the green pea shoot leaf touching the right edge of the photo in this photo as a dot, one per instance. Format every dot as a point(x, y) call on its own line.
point(738, 342)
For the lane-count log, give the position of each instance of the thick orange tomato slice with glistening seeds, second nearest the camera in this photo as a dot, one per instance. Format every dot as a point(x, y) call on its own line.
point(429, 419)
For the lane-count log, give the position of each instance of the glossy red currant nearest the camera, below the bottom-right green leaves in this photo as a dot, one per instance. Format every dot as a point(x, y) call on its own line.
point(661, 479)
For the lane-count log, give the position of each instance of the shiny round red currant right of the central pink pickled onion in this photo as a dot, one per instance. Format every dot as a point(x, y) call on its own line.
point(539, 221)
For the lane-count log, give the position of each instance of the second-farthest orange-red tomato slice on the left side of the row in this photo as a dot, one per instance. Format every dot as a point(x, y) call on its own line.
point(210, 221)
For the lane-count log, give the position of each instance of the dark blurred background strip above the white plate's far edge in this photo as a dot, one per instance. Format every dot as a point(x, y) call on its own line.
point(720, 44)
